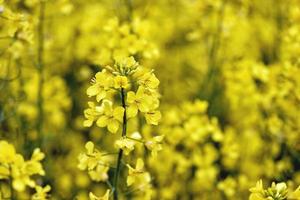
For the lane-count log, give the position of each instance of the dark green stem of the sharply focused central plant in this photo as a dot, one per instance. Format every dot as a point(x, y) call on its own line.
point(120, 154)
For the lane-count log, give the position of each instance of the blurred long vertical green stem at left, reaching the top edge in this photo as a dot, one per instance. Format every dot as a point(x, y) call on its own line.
point(40, 68)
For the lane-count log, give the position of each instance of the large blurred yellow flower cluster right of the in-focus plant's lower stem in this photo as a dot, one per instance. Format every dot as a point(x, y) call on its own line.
point(188, 129)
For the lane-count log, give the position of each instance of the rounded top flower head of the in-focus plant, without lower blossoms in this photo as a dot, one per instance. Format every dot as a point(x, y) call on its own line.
point(125, 74)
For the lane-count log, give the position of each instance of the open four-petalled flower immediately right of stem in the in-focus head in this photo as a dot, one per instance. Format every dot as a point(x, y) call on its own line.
point(139, 101)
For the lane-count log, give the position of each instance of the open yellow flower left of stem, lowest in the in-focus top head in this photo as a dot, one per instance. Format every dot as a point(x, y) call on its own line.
point(112, 117)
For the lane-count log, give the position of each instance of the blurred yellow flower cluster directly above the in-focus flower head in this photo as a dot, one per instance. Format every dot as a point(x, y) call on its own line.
point(120, 40)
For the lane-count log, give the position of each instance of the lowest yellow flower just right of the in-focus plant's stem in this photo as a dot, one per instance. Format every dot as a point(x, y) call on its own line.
point(137, 175)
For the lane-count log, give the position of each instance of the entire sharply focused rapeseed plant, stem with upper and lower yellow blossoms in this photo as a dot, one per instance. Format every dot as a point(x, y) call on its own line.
point(138, 88)
